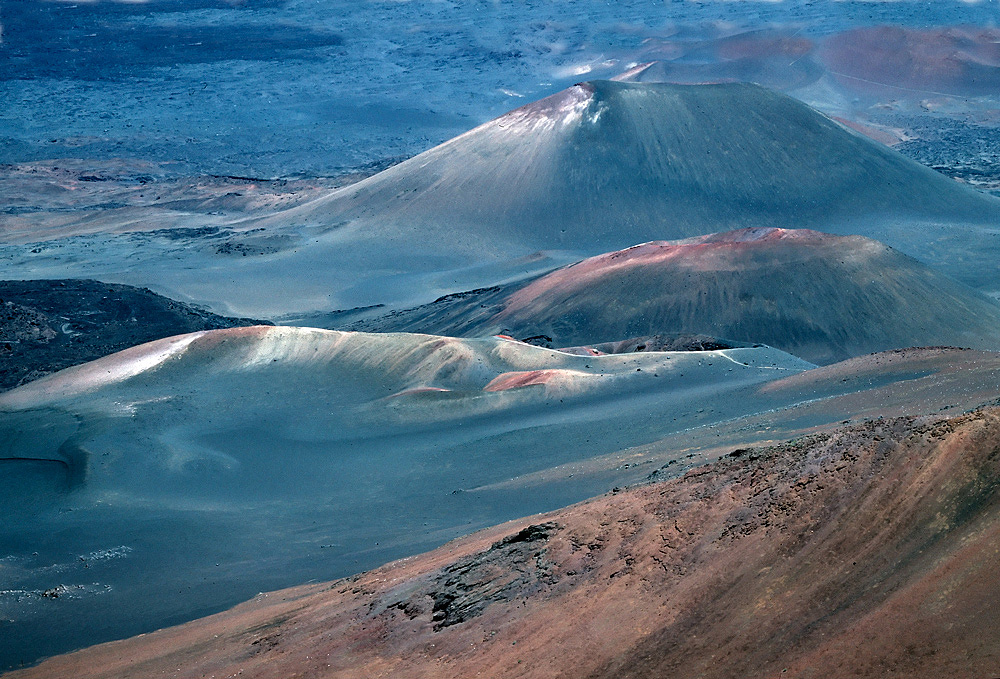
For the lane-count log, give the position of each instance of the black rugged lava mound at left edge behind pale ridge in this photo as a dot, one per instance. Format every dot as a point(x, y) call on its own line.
point(48, 325)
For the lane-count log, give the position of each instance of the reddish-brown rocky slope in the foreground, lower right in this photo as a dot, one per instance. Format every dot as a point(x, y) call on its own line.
point(871, 551)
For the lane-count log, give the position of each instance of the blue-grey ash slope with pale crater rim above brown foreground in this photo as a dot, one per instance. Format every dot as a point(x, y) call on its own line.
point(212, 466)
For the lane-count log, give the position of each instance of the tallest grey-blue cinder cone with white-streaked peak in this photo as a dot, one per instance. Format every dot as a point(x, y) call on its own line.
point(604, 165)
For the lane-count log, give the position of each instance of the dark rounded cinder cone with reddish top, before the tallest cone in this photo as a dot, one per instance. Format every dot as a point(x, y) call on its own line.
point(818, 296)
